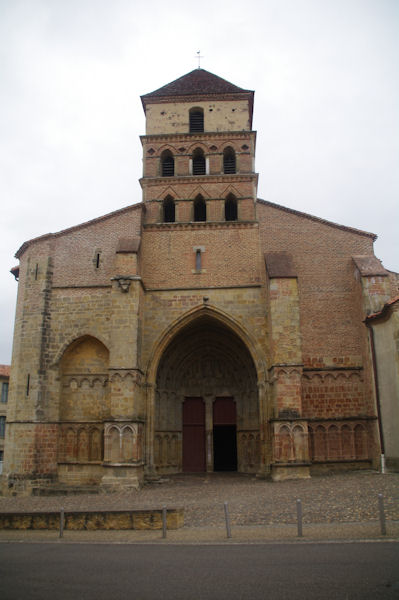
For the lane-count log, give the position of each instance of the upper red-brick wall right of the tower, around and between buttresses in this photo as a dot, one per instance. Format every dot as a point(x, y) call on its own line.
point(329, 294)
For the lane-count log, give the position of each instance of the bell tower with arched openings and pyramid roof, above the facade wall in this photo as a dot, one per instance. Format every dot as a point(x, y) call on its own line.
point(198, 152)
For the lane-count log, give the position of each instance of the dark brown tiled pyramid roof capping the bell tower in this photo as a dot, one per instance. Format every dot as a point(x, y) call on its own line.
point(196, 82)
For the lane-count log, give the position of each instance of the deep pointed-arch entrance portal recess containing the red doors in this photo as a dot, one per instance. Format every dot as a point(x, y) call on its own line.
point(206, 405)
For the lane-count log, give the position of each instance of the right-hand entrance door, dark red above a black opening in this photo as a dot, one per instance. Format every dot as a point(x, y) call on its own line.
point(224, 435)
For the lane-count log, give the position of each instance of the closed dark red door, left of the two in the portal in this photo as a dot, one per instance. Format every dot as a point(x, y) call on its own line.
point(193, 435)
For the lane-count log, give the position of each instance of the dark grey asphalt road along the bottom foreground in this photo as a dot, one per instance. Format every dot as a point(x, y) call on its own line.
point(63, 571)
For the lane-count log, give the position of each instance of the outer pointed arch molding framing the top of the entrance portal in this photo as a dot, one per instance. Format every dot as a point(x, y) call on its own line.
point(189, 317)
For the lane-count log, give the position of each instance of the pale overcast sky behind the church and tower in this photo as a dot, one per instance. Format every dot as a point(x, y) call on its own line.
point(325, 75)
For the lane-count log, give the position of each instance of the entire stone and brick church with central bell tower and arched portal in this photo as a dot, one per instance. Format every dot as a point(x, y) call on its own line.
point(201, 329)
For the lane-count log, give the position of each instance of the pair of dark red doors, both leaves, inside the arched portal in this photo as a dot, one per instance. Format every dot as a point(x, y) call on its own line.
point(224, 430)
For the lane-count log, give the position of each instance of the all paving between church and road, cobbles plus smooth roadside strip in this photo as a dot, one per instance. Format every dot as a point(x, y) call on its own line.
point(342, 506)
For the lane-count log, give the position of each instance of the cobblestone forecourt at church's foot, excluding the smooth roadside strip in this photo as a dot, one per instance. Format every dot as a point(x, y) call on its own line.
point(338, 498)
